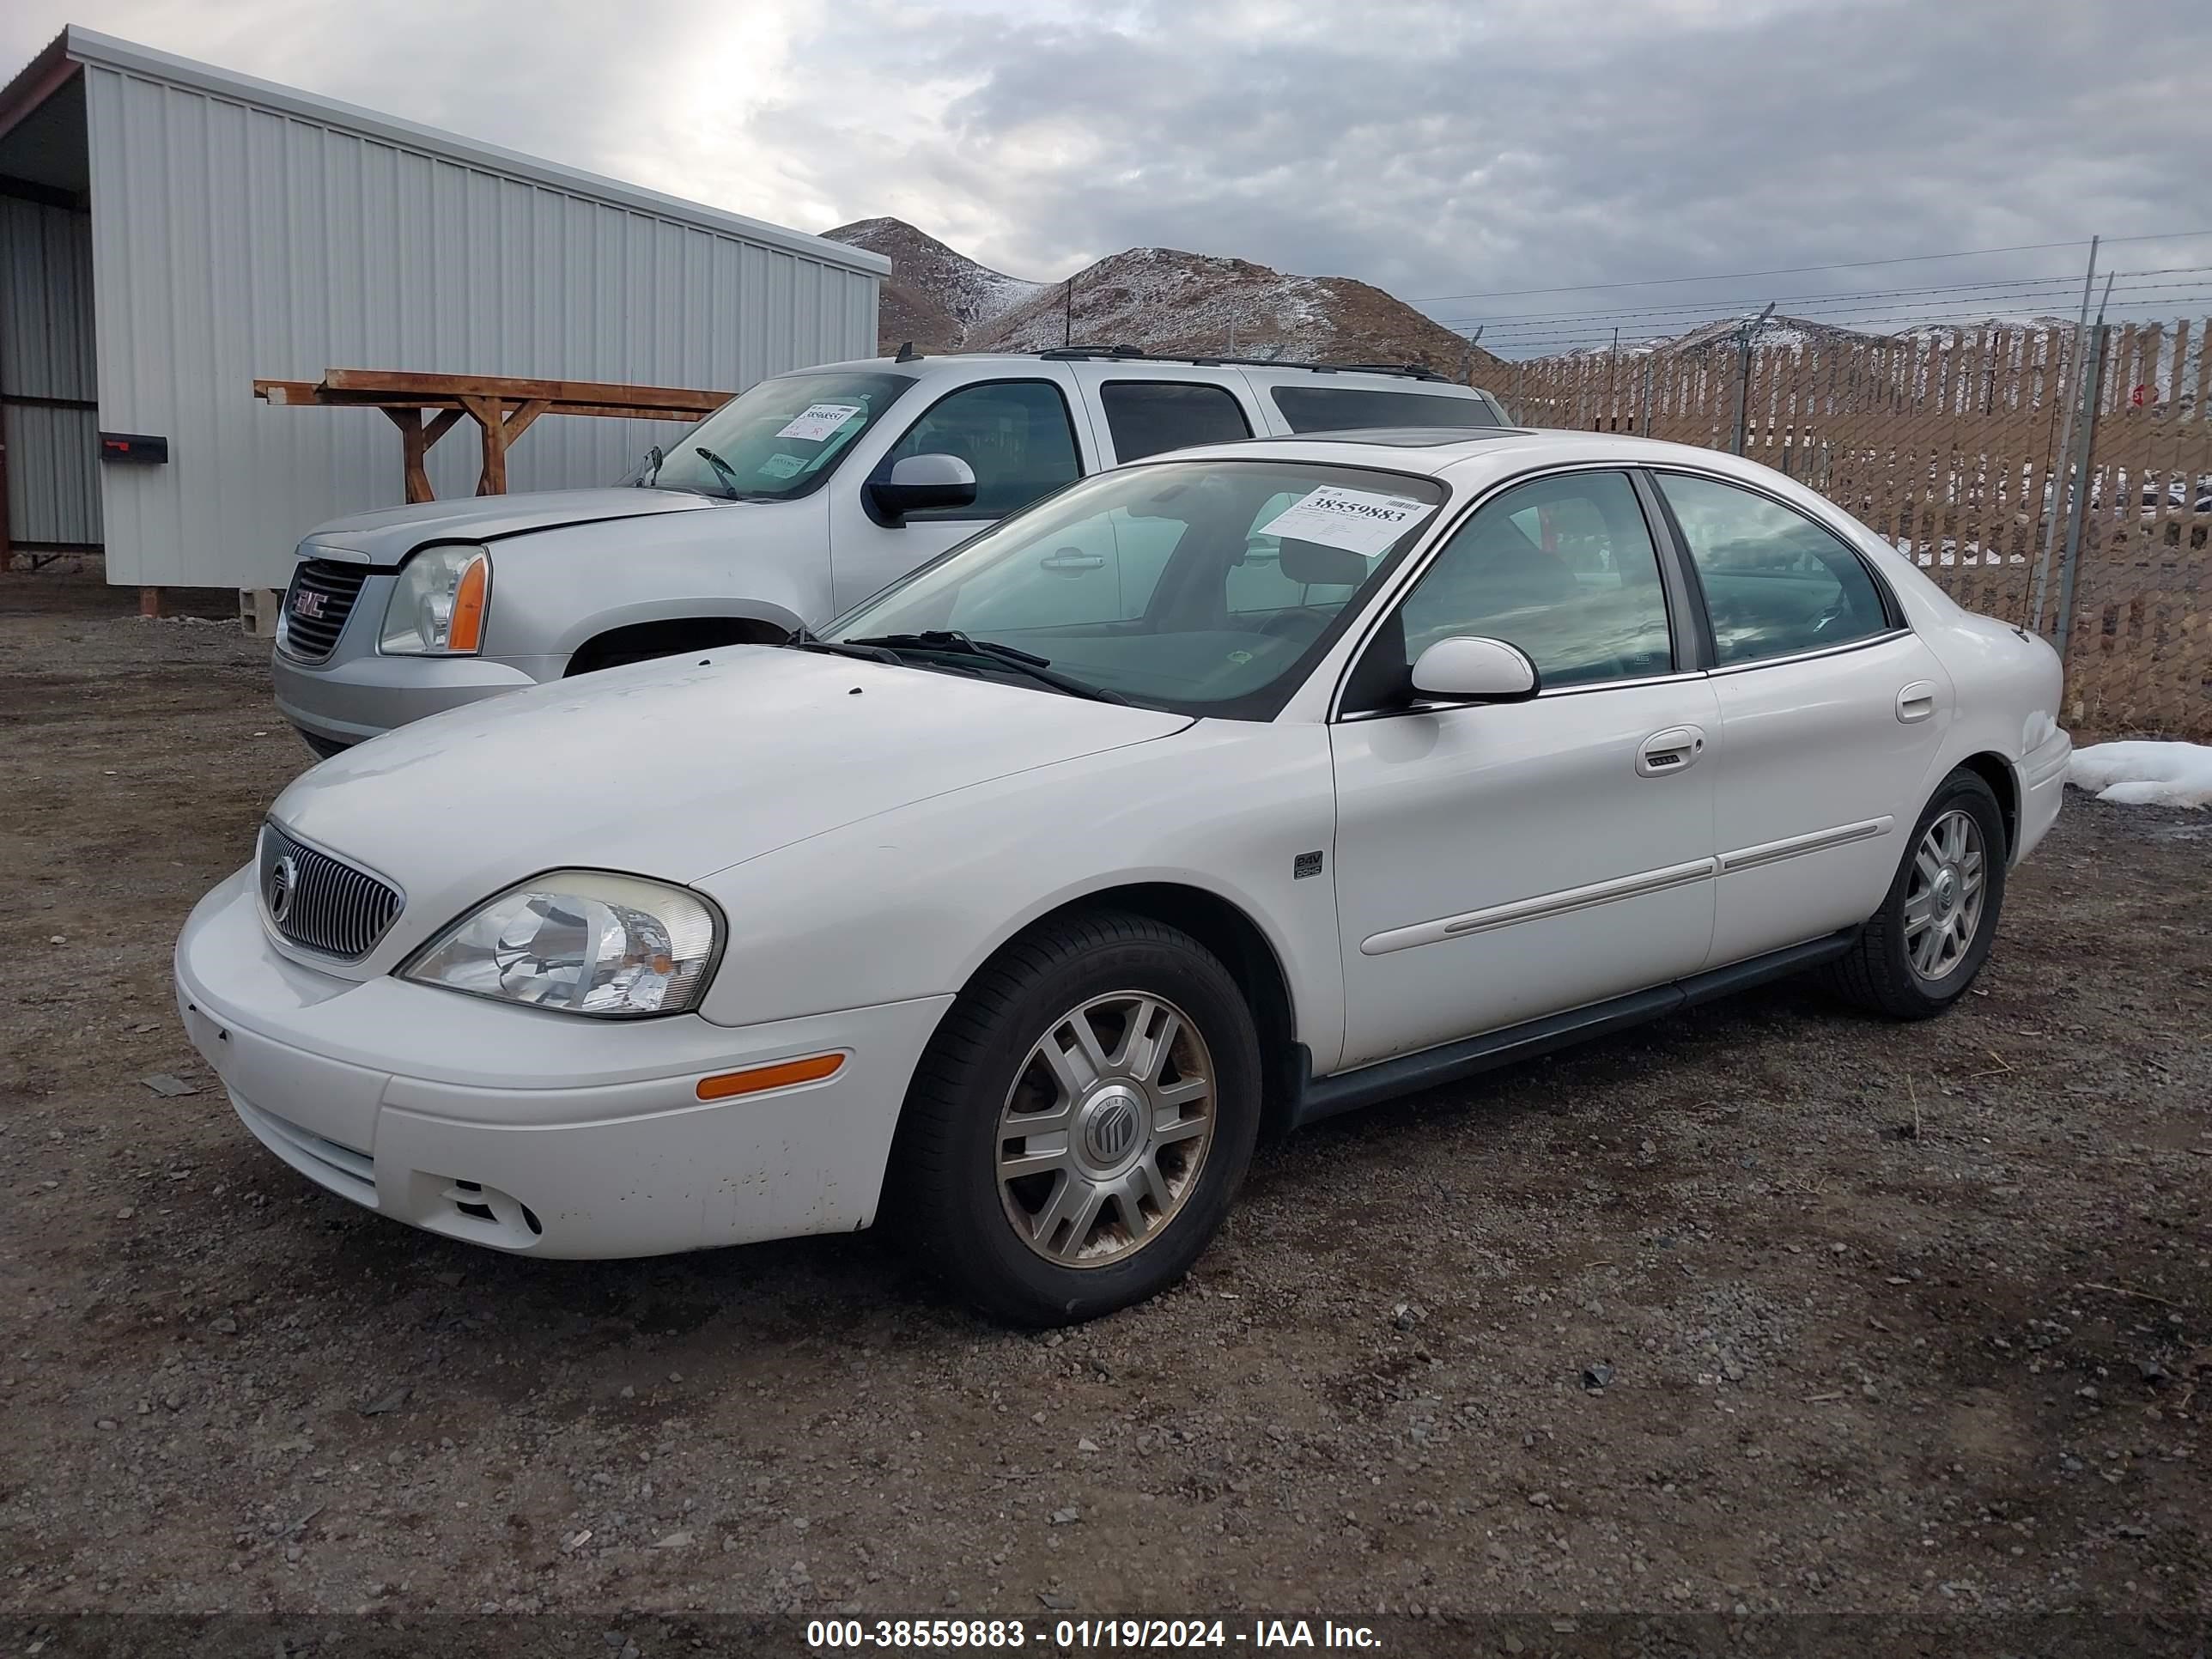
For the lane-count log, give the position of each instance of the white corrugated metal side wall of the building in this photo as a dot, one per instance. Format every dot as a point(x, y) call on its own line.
point(240, 242)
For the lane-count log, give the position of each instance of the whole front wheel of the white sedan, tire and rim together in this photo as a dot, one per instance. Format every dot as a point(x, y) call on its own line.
point(1083, 1120)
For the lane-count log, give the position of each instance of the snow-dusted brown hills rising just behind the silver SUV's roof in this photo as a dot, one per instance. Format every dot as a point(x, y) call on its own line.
point(1158, 300)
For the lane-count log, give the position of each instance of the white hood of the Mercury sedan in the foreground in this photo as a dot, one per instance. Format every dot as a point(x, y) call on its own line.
point(674, 771)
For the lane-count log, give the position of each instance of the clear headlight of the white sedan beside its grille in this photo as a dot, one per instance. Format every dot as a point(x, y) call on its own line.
point(581, 941)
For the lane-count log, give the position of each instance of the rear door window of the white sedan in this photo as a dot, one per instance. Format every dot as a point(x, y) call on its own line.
point(1775, 583)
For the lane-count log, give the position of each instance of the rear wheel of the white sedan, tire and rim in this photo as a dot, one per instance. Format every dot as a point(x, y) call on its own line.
point(1932, 935)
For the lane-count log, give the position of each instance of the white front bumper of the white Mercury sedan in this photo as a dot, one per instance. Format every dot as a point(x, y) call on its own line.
point(536, 1131)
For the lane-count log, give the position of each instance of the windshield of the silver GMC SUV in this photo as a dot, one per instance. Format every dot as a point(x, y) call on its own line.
point(778, 441)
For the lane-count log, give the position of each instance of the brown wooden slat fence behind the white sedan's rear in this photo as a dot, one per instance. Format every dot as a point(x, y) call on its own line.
point(1950, 448)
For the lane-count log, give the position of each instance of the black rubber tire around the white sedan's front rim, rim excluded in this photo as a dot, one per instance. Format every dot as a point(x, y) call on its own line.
point(943, 1187)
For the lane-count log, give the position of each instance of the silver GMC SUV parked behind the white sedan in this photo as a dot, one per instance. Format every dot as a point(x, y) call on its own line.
point(782, 510)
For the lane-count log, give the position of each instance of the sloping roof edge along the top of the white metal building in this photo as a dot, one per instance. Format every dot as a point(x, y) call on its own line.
point(83, 45)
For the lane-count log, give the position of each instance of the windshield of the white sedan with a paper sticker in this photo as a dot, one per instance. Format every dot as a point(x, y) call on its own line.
point(1204, 587)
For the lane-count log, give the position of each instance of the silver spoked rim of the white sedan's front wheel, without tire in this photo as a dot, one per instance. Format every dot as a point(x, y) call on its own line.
point(1105, 1131)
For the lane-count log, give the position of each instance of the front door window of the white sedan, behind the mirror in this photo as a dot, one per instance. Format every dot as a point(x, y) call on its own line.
point(1561, 567)
